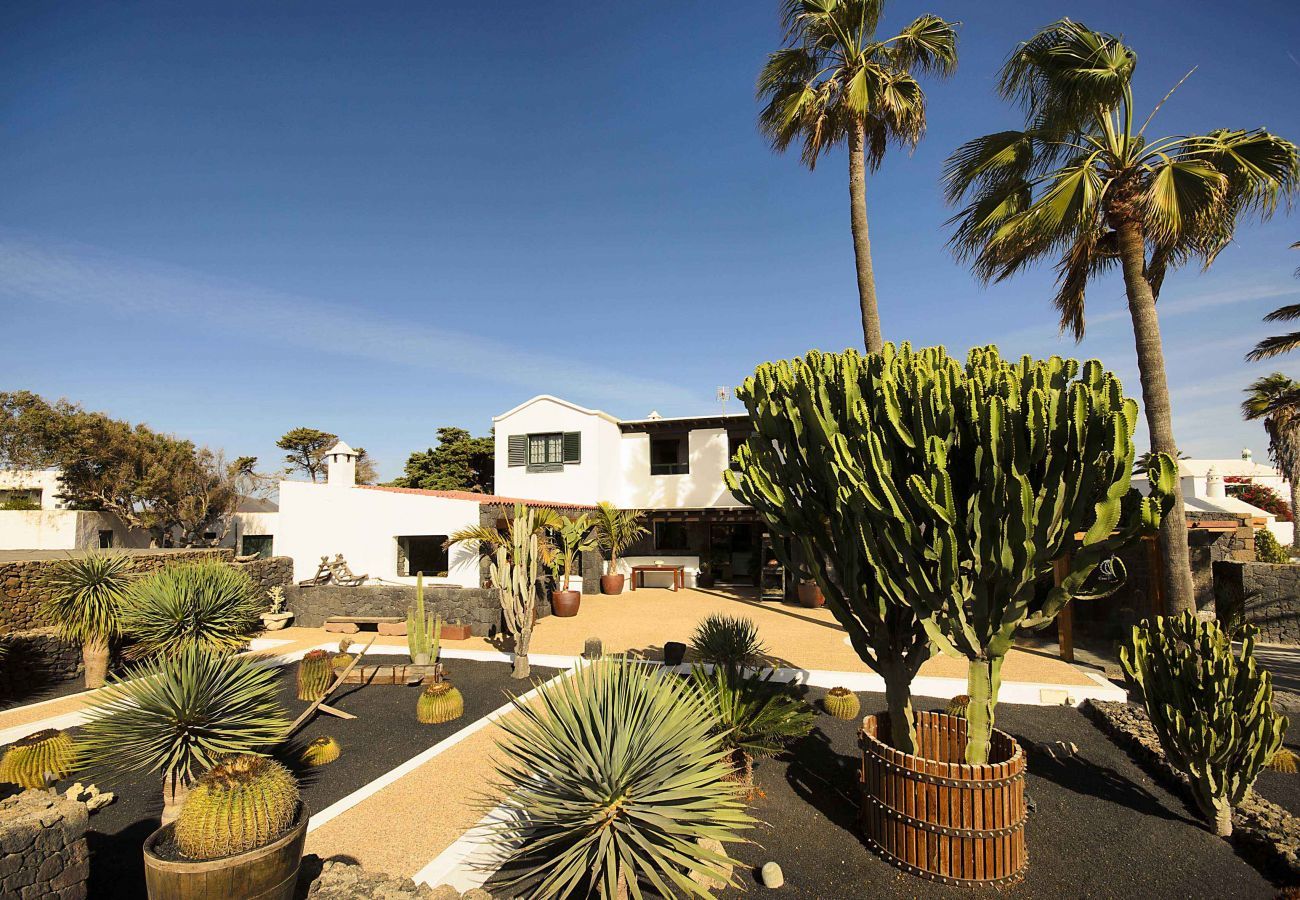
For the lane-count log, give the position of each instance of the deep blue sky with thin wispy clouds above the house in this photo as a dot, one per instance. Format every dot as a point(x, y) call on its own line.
point(232, 219)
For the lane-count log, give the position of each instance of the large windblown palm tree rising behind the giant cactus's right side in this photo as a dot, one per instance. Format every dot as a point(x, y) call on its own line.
point(1084, 185)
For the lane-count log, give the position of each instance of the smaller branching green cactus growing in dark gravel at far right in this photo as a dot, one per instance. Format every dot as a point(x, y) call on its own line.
point(1211, 709)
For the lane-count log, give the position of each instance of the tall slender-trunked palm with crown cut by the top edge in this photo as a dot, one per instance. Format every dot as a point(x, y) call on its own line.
point(834, 83)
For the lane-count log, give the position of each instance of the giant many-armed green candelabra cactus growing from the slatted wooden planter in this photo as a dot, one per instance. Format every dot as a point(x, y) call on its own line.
point(934, 496)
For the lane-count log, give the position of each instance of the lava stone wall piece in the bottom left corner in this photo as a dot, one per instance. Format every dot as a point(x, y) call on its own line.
point(44, 853)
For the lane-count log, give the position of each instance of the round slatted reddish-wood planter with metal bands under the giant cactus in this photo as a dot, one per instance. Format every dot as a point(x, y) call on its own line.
point(937, 817)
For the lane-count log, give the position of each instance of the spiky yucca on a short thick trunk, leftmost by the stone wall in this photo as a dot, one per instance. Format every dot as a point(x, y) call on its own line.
point(85, 598)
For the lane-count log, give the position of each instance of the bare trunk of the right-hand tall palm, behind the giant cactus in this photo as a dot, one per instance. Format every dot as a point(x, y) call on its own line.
point(1180, 595)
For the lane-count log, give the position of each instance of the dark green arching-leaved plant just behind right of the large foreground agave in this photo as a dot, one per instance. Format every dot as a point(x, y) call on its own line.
point(753, 717)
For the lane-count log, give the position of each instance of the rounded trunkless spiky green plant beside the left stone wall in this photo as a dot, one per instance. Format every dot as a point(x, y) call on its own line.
point(207, 604)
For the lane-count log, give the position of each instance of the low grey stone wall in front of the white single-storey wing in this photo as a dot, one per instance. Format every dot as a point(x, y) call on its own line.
point(478, 608)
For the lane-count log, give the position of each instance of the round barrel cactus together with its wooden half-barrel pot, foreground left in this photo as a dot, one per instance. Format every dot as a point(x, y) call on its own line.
point(240, 834)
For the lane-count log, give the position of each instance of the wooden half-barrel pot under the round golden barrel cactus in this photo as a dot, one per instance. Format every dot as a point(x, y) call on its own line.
point(267, 873)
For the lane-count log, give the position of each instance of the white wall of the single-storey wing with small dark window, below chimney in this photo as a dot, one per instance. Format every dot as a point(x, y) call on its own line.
point(320, 521)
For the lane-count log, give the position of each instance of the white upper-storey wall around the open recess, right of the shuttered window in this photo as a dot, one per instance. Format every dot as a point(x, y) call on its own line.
point(701, 487)
